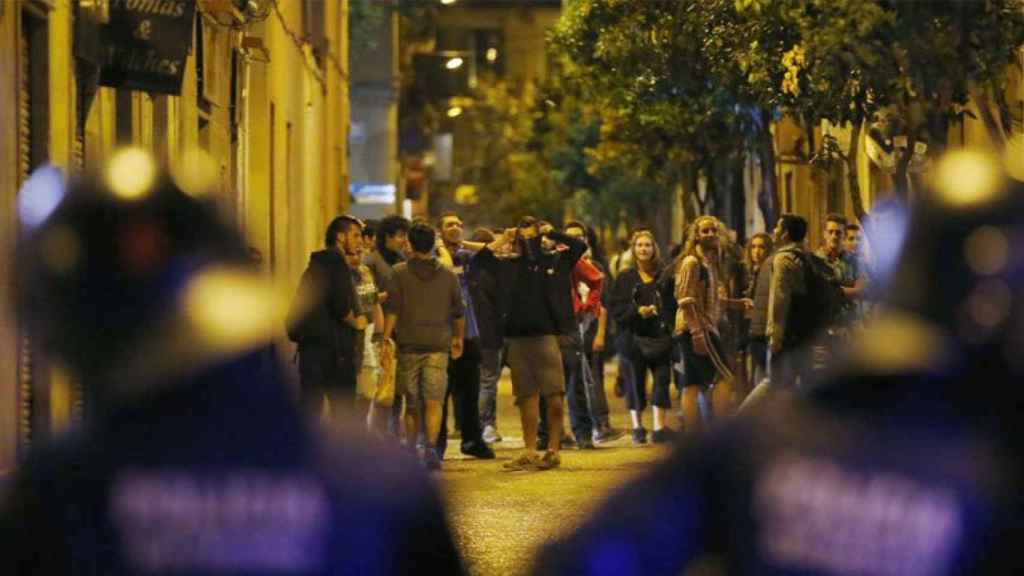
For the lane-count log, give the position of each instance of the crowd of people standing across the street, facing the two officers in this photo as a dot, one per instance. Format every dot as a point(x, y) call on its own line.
point(431, 318)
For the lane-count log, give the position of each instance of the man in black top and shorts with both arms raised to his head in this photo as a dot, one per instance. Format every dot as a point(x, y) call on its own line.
point(530, 283)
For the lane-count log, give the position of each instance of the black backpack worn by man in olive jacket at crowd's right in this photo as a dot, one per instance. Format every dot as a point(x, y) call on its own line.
point(820, 307)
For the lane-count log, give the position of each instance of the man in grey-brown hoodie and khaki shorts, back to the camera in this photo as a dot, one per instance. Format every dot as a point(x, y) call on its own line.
point(426, 312)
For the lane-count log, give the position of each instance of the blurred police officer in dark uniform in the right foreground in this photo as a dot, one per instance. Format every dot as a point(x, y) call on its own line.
point(907, 462)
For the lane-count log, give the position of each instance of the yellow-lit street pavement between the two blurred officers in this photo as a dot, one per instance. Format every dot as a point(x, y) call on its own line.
point(500, 518)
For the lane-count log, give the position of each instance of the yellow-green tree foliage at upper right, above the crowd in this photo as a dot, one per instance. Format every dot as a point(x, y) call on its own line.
point(694, 81)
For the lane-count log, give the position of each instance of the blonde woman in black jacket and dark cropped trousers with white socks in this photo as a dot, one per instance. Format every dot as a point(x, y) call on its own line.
point(644, 307)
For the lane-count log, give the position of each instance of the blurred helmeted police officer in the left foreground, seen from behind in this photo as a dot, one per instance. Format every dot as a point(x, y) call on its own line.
point(198, 460)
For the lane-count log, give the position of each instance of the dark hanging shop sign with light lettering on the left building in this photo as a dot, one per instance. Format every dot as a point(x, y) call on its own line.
point(146, 45)
